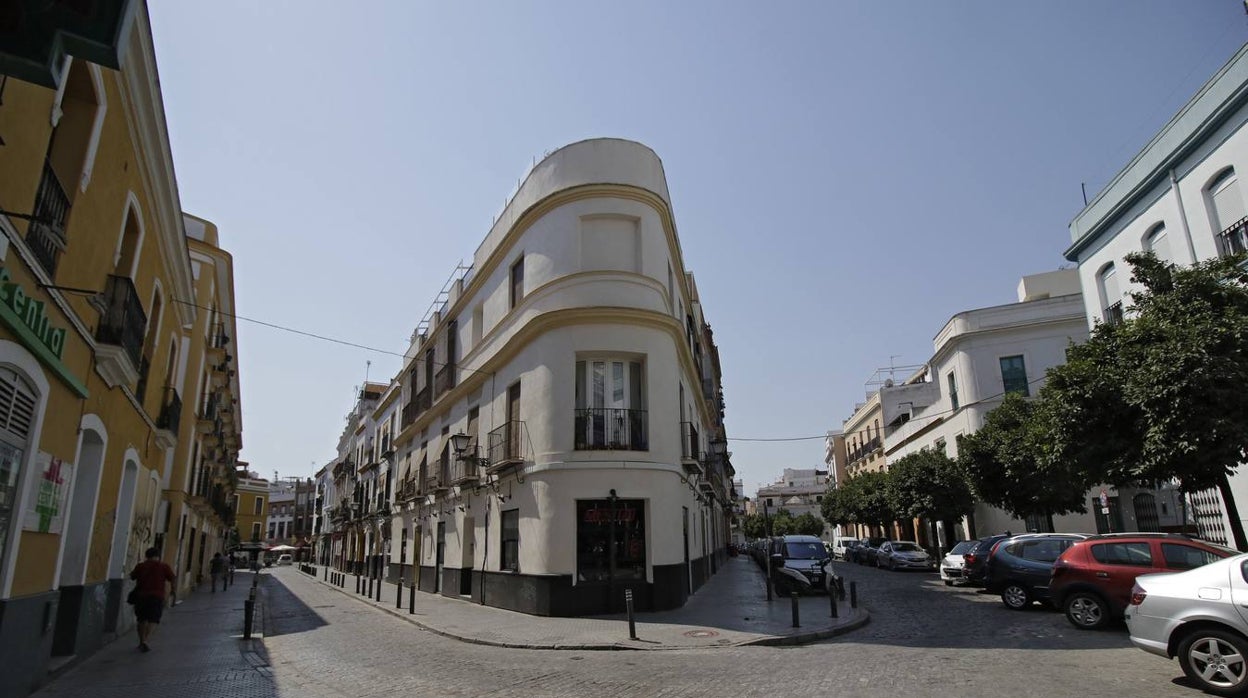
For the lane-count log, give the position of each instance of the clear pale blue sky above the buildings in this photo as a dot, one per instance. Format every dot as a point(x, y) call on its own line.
point(846, 177)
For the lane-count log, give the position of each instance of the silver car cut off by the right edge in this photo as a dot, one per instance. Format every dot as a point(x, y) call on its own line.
point(1200, 617)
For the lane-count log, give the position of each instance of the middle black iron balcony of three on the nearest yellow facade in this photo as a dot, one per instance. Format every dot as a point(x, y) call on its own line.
point(120, 334)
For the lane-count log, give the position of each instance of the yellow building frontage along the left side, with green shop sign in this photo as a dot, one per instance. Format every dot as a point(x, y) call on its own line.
point(103, 340)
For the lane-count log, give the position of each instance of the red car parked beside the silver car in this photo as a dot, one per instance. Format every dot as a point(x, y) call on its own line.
point(1093, 580)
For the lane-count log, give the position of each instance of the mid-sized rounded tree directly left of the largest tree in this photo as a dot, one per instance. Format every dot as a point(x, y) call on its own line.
point(1007, 465)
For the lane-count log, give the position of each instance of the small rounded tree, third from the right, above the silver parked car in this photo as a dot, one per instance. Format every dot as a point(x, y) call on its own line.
point(930, 485)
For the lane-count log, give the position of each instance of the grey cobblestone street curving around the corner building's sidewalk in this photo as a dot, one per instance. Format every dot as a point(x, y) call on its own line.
point(924, 639)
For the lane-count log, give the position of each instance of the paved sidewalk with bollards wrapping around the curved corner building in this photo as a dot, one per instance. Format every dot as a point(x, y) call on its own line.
point(729, 611)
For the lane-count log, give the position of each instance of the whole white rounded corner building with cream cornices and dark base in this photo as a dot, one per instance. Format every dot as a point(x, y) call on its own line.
point(575, 360)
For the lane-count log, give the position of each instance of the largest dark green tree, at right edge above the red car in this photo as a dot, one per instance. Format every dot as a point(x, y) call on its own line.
point(1164, 394)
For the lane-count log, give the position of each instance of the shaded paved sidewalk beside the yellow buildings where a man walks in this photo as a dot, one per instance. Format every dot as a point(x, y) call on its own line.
point(197, 651)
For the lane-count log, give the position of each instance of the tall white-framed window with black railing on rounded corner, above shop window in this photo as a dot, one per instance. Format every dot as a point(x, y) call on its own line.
point(611, 406)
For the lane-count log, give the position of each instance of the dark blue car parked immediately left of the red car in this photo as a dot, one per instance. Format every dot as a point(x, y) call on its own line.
point(1020, 569)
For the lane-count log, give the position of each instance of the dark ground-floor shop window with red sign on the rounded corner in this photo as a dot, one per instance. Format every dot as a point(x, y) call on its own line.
point(611, 540)
